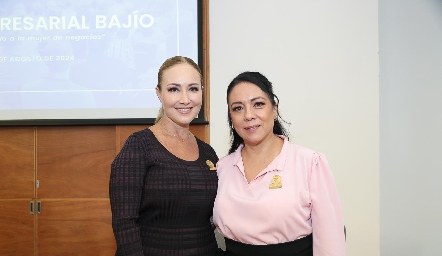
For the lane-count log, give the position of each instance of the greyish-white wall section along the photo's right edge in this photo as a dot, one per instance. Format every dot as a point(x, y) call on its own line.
point(411, 127)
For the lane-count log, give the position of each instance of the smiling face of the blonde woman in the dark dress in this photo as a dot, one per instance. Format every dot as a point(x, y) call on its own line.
point(181, 93)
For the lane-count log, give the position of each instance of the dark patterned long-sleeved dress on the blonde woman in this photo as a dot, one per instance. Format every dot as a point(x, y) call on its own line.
point(161, 204)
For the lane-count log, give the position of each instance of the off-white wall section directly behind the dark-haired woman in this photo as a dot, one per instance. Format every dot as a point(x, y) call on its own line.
point(322, 57)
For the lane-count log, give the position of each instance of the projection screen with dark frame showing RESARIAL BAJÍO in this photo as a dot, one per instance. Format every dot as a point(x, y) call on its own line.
point(90, 61)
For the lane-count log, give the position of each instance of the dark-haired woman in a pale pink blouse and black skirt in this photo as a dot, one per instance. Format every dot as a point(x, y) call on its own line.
point(274, 197)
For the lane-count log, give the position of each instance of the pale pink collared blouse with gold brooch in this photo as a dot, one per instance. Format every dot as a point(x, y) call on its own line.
point(294, 196)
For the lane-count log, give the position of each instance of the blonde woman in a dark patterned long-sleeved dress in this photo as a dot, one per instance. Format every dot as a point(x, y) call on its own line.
point(162, 183)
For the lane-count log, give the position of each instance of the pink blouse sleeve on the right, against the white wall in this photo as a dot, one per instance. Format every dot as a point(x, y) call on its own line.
point(326, 213)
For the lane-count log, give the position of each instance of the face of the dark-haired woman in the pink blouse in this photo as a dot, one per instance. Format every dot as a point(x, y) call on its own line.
point(252, 113)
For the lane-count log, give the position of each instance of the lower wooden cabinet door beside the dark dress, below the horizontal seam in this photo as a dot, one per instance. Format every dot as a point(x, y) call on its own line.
point(73, 227)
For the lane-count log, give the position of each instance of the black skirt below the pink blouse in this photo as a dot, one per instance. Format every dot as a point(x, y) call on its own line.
point(299, 247)
